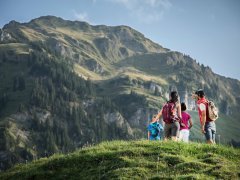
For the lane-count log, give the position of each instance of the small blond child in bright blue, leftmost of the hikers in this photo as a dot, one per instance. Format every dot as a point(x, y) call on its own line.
point(154, 129)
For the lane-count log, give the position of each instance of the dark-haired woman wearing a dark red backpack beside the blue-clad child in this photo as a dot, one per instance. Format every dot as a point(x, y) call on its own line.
point(171, 113)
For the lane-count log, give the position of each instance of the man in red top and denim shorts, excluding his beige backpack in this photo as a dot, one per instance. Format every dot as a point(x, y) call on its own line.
point(208, 126)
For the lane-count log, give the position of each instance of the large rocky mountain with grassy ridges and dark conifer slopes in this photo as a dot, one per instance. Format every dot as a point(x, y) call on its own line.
point(65, 84)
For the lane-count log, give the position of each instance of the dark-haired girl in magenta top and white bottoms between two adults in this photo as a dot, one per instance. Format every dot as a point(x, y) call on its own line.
point(185, 125)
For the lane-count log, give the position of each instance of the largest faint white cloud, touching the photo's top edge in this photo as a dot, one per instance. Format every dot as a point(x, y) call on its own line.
point(145, 11)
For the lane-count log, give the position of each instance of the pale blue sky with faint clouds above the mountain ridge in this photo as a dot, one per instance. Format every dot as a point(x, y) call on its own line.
point(206, 30)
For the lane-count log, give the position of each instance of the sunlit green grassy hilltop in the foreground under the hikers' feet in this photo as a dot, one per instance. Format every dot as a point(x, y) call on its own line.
point(135, 160)
